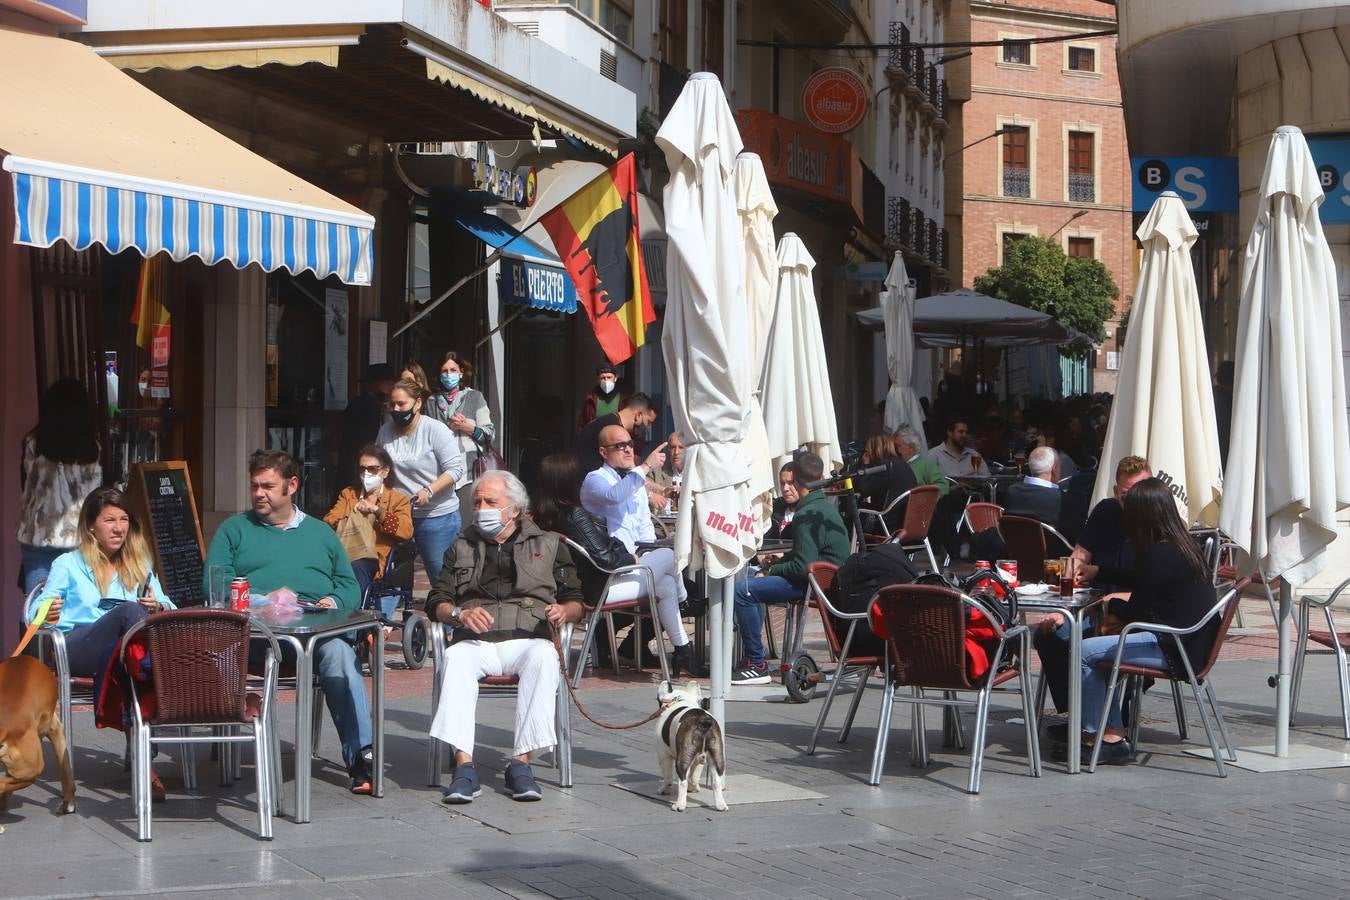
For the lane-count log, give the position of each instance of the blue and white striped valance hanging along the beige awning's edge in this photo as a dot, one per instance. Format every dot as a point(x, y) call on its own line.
point(84, 210)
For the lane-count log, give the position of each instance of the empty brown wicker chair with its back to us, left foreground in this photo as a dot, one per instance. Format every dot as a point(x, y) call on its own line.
point(199, 670)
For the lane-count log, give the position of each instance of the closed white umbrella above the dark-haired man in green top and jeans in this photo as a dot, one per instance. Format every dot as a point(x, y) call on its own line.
point(796, 387)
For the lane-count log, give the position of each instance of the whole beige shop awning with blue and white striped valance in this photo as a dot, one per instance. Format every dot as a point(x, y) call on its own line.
point(98, 159)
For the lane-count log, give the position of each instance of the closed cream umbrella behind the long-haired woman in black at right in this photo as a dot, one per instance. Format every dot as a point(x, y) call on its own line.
point(1164, 405)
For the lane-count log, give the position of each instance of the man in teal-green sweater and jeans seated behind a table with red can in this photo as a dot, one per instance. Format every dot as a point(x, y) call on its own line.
point(277, 546)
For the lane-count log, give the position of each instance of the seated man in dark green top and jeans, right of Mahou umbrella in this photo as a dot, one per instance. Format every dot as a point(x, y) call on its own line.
point(819, 536)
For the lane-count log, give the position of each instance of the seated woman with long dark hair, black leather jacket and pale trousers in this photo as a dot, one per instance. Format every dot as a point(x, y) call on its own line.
point(558, 508)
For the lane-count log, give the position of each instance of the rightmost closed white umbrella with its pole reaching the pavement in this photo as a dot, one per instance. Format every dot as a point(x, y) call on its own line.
point(1290, 449)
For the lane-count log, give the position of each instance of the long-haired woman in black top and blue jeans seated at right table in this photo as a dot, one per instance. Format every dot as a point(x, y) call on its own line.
point(1170, 585)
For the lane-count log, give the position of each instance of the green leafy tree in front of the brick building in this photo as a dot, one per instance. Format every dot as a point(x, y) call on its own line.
point(1039, 275)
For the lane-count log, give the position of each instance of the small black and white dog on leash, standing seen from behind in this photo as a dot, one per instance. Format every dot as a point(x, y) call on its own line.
point(688, 739)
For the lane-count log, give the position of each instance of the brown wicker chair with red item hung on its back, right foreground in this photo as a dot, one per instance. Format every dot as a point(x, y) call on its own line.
point(927, 652)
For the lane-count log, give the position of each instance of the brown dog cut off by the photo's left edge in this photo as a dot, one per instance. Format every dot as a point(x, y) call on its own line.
point(29, 714)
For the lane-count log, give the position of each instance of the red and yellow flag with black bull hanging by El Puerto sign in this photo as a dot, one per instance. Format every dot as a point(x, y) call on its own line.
point(596, 233)
